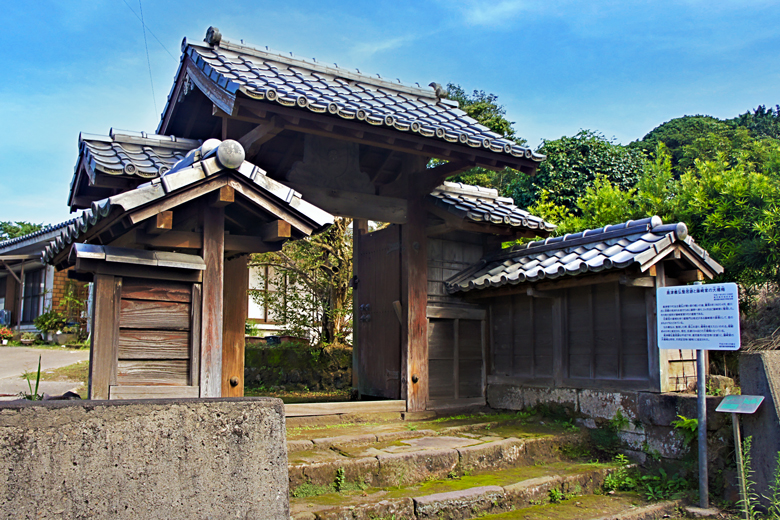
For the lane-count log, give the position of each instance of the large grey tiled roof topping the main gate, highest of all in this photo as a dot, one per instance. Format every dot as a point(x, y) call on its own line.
point(325, 89)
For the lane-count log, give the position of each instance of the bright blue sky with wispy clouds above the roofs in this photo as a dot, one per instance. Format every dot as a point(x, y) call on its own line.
point(620, 68)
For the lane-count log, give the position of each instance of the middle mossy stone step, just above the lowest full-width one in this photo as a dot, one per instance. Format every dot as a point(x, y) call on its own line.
point(418, 458)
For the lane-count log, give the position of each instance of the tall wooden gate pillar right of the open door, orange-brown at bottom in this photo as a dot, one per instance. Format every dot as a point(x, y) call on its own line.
point(414, 290)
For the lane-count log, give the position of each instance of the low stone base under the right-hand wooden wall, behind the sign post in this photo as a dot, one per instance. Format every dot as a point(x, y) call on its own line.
point(649, 430)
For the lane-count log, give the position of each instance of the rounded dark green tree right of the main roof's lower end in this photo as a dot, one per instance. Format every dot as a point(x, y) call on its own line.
point(572, 165)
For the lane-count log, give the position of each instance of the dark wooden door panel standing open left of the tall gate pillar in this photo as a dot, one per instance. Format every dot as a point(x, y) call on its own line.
point(379, 328)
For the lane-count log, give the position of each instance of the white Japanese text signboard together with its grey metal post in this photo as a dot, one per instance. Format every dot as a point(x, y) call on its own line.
point(699, 317)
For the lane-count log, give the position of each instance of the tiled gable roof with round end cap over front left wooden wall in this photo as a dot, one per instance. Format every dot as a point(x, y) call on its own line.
point(195, 166)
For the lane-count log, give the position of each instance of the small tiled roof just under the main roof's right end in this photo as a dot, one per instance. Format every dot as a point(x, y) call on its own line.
point(483, 205)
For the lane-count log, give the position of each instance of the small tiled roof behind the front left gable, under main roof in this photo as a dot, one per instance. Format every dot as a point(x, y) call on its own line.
point(133, 153)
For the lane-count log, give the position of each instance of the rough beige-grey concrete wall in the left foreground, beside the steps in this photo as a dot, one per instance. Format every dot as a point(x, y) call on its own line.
point(190, 459)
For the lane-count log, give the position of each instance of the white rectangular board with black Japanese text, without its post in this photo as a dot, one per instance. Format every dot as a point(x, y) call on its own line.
point(698, 317)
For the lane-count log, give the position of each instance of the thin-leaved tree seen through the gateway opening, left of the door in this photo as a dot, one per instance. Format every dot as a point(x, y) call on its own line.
point(313, 276)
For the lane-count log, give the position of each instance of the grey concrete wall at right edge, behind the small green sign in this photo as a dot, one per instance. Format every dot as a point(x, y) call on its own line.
point(759, 374)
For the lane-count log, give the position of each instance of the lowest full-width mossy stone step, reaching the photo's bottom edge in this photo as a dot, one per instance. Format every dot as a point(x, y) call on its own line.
point(504, 494)
